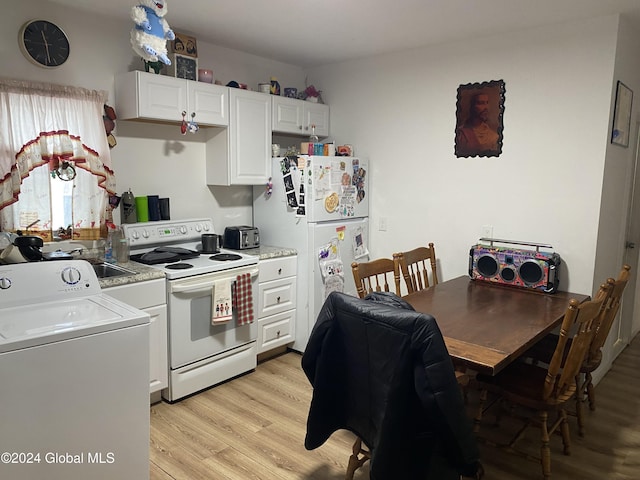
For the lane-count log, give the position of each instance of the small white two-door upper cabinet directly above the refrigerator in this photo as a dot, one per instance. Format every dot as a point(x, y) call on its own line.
point(290, 115)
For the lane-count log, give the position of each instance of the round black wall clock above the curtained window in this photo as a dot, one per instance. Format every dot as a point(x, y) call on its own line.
point(44, 43)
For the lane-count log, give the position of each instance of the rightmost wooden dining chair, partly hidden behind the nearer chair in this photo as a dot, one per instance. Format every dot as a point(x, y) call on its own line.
point(543, 351)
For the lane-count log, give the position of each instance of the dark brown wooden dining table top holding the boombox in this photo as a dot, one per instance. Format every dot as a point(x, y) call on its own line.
point(486, 325)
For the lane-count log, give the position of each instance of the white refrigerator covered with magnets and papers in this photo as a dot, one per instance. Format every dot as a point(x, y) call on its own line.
point(320, 207)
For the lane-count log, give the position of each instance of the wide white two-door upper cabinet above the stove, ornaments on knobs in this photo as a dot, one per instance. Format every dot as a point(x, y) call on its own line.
point(143, 95)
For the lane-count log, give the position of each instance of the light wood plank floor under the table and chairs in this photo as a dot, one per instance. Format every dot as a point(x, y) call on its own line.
point(253, 427)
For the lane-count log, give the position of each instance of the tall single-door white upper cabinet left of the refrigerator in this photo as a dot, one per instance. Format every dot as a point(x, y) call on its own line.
point(241, 154)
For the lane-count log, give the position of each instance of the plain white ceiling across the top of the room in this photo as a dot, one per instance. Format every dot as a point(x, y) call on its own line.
point(312, 33)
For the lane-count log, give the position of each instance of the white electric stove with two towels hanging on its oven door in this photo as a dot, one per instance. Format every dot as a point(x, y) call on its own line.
point(202, 351)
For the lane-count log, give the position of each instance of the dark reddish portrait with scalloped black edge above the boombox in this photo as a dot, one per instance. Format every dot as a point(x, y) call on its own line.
point(479, 119)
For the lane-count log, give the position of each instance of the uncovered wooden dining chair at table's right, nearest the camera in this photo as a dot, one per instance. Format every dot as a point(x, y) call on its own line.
point(545, 390)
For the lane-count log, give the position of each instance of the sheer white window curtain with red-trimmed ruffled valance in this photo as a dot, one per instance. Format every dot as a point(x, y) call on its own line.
point(41, 127)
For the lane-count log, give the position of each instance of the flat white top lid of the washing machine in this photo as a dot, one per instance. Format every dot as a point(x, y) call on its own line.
point(31, 325)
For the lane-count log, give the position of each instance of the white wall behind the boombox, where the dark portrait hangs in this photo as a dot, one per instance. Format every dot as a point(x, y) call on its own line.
point(399, 110)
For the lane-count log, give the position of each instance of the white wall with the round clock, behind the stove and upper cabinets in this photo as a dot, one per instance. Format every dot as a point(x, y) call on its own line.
point(148, 159)
